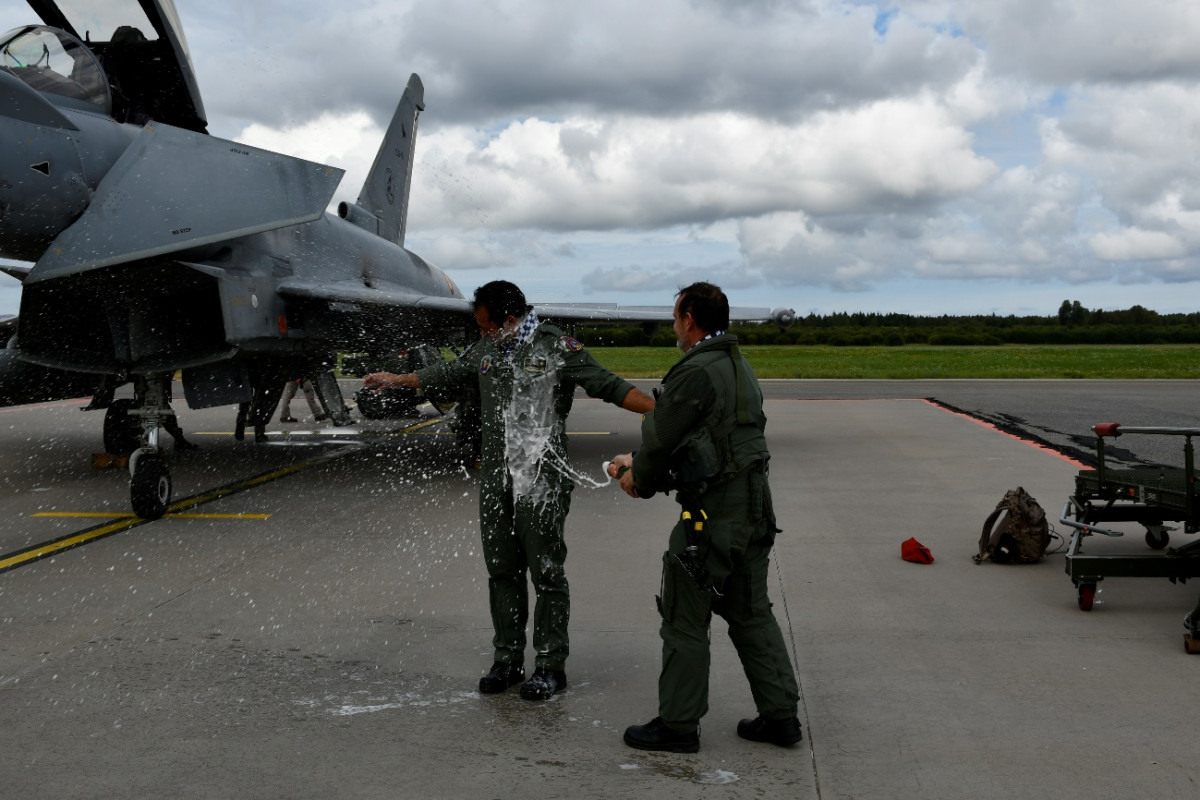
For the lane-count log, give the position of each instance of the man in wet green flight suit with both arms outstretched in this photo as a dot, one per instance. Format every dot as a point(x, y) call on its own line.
point(527, 372)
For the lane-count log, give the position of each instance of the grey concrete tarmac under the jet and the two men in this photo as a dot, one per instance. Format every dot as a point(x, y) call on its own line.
point(311, 619)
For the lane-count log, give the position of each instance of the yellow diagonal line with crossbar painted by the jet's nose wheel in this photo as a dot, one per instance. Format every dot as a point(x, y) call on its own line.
point(127, 521)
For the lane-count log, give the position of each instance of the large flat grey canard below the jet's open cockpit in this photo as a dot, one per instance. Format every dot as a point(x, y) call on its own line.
point(221, 190)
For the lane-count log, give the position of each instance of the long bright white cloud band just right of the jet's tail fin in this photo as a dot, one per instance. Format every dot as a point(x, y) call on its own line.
point(587, 175)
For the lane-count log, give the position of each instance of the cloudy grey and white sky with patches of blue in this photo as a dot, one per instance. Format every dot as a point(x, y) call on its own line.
point(935, 157)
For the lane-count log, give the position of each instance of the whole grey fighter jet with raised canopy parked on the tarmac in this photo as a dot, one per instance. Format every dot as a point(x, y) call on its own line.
point(158, 249)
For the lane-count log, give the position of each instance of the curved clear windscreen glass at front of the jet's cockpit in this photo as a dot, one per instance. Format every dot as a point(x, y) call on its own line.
point(56, 63)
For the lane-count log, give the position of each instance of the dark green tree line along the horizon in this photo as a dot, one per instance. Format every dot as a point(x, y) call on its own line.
point(1073, 324)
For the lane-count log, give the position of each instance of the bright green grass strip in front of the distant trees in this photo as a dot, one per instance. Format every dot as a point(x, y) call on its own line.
point(1131, 362)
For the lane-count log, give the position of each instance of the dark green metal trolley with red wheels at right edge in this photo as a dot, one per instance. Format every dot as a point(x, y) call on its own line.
point(1150, 496)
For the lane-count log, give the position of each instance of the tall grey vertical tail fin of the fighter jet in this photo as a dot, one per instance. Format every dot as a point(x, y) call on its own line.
point(385, 195)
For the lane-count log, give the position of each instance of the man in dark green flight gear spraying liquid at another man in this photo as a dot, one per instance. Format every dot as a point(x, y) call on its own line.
point(705, 441)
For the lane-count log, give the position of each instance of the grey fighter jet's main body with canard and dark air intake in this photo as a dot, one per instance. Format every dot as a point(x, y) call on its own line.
point(117, 300)
